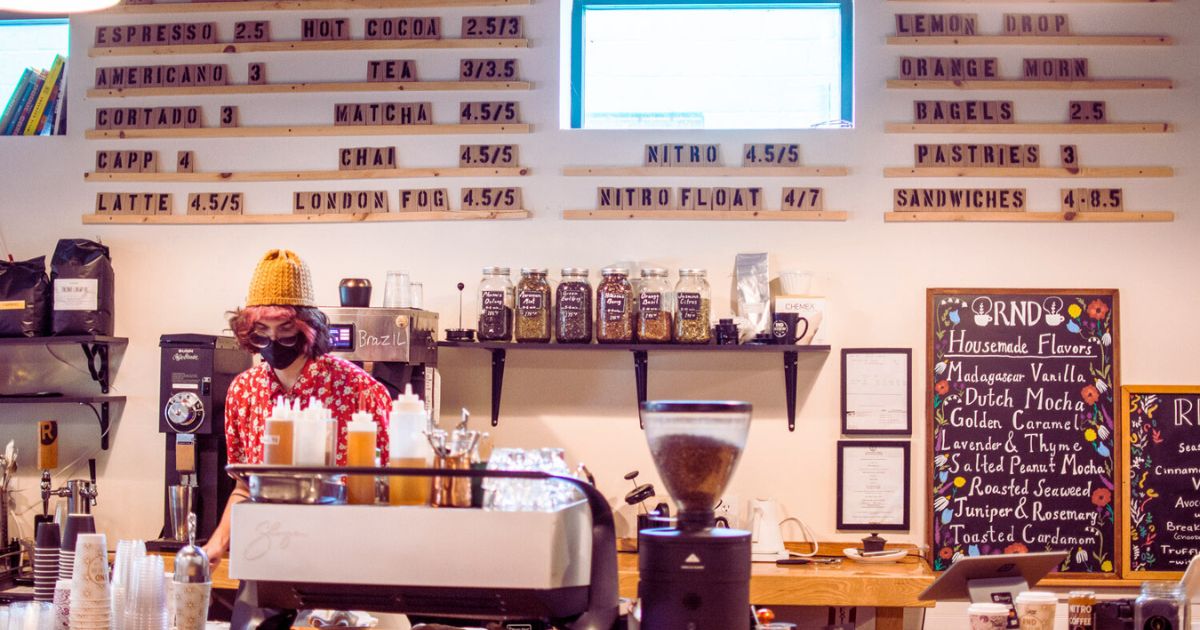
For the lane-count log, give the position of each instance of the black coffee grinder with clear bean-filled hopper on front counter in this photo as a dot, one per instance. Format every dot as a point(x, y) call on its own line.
point(695, 577)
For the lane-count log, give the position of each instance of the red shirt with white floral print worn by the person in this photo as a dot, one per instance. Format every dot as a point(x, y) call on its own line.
point(333, 381)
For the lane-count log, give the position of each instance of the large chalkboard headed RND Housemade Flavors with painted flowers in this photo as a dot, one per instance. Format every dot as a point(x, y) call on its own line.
point(1022, 436)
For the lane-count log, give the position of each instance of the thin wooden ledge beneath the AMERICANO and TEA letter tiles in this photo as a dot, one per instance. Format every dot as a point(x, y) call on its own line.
point(311, 88)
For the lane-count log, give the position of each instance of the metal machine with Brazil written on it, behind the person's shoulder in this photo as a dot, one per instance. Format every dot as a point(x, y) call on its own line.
point(397, 346)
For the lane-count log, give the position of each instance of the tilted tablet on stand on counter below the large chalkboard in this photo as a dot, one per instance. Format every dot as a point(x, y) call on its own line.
point(993, 579)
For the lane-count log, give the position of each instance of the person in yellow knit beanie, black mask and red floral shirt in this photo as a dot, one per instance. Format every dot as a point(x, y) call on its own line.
point(281, 323)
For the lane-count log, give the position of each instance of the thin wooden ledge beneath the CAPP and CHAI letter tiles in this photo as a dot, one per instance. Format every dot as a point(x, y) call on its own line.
point(313, 176)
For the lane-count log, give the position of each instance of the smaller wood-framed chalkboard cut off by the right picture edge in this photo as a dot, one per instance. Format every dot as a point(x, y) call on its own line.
point(1161, 447)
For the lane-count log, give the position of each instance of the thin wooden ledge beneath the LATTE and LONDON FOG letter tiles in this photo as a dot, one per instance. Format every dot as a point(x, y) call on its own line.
point(265, 219)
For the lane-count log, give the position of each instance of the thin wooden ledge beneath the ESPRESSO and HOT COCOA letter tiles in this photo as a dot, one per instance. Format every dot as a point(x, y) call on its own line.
point(335, 46)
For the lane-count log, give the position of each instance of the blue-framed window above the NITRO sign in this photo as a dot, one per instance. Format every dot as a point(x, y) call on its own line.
point(711, 64)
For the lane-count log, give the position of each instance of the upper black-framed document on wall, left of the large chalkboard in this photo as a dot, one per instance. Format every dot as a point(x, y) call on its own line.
point(877, 392)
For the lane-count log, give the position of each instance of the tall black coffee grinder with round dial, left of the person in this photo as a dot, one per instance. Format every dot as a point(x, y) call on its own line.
point(195, 377)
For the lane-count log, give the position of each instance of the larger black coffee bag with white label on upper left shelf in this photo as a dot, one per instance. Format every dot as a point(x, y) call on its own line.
point(82, 277)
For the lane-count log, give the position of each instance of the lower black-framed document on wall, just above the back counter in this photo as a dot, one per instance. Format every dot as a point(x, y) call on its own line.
point(873, 485)
